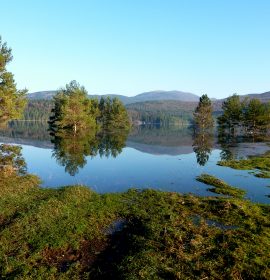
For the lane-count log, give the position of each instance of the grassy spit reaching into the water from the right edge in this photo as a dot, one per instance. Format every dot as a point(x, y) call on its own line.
point(259, 163)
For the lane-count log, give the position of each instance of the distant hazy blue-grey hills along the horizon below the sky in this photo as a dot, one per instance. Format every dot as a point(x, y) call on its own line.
point(146, 96)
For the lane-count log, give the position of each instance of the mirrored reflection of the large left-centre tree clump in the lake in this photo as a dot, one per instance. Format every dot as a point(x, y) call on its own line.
point(70, 150)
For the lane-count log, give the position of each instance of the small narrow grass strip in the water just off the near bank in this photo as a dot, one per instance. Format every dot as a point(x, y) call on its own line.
point(220, 187)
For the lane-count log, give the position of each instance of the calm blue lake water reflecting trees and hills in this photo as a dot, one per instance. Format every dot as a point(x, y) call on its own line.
point(167, 159)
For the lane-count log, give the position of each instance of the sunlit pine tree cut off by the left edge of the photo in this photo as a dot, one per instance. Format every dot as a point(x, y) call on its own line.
point(12, 101)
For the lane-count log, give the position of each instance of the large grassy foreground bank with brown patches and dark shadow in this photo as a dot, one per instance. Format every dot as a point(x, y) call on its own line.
point(75, 233)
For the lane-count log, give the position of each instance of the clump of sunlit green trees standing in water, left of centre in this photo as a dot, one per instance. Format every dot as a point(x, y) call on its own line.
point(73, 110)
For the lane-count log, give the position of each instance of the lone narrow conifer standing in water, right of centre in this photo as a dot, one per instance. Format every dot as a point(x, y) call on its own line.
point(203, 115)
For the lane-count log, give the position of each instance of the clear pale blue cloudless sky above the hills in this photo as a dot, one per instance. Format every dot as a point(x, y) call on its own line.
point(127, 47)
